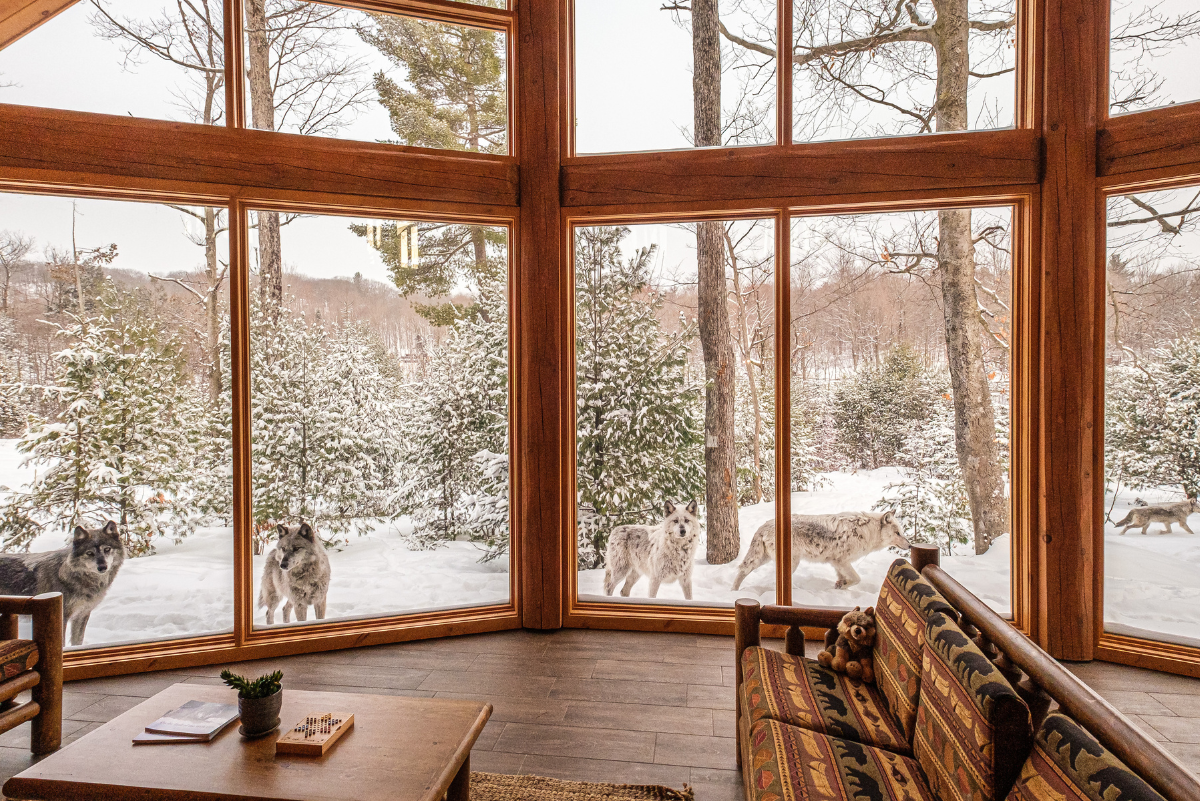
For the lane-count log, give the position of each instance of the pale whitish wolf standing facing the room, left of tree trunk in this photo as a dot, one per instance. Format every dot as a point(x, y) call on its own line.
point(664, 553)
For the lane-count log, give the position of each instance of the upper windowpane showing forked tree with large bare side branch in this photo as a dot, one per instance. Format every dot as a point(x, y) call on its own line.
point(878, 69)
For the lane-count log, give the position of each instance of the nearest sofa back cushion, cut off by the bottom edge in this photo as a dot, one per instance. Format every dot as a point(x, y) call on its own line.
point(1069, 764)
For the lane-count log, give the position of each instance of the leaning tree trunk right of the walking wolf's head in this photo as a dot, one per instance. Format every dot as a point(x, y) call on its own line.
point(975, 421)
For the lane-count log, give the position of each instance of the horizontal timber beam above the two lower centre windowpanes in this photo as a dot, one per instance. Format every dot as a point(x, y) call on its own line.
point(782, 176)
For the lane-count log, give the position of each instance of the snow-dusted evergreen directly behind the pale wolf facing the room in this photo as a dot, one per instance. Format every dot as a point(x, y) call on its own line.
point(640, 417)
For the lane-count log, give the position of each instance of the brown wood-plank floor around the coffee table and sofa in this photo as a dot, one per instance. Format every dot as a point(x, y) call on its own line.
point(617, 707)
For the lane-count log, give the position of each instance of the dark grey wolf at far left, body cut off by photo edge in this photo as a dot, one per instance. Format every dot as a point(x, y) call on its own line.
point(82, 573)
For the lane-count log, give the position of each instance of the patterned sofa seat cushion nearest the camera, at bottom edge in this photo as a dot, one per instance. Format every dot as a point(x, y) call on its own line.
point(787, 763)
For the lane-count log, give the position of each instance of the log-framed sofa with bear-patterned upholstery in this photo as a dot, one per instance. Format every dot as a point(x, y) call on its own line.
point(961, 710)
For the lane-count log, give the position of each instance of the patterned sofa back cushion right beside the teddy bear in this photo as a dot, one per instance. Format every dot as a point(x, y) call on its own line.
point(902, 615)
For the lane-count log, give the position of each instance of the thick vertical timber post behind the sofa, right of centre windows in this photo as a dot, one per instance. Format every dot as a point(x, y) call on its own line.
point(1069, 388)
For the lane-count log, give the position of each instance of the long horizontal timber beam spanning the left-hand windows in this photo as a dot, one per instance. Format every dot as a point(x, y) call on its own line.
point(152, 150)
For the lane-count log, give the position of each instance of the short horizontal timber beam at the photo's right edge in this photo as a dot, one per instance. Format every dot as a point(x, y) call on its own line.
point(1166, 141)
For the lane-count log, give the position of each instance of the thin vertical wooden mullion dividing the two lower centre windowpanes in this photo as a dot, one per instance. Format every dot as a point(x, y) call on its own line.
point(783, 408)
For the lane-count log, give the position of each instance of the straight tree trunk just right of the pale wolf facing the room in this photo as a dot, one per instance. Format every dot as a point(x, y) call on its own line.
point(721, 461)
